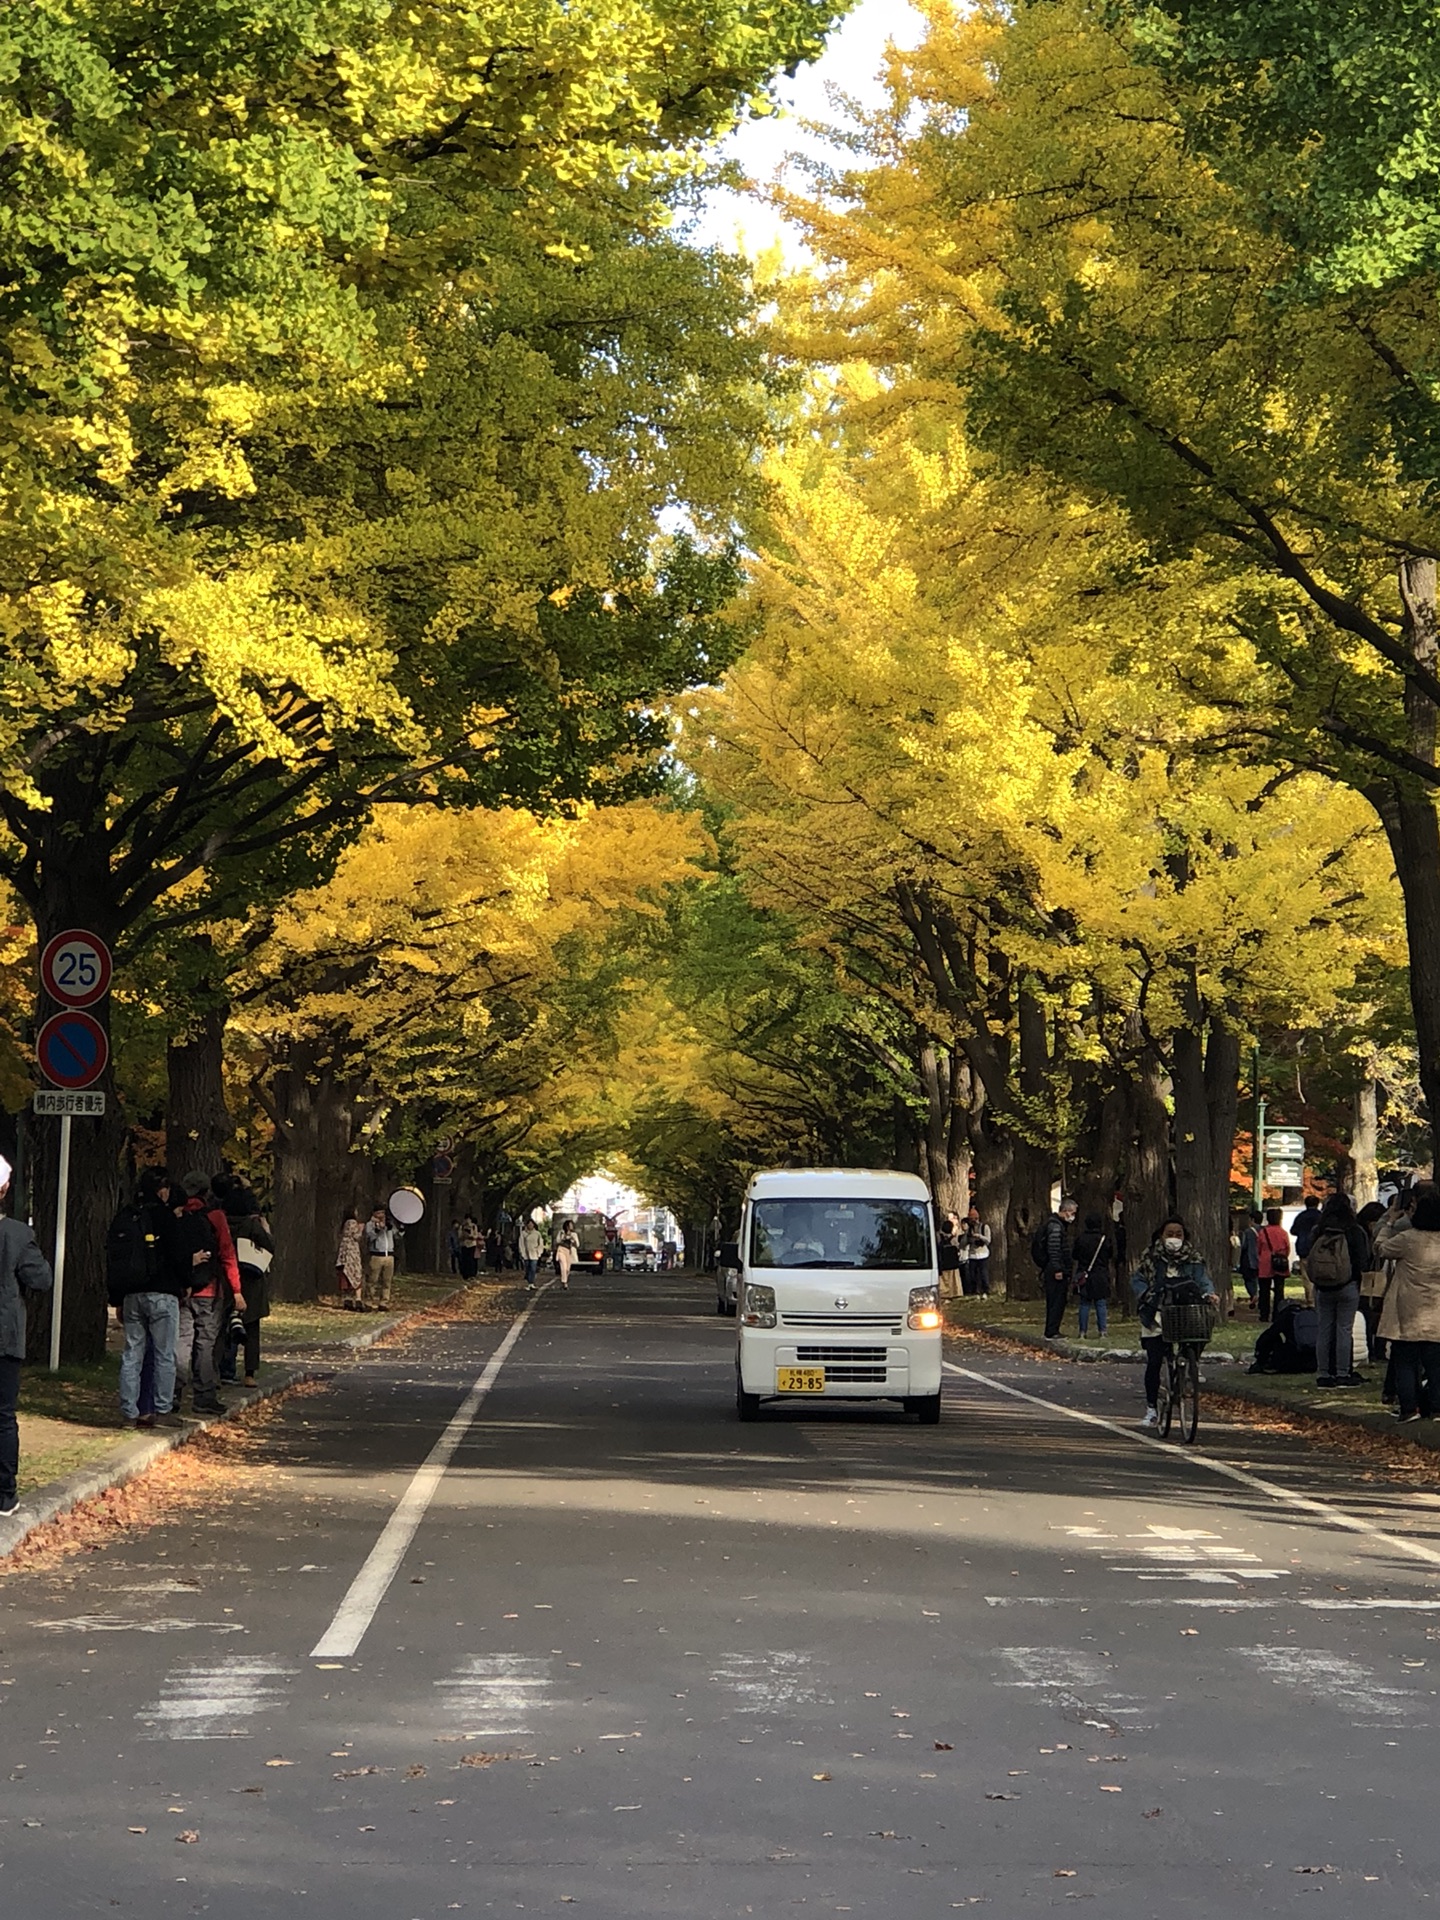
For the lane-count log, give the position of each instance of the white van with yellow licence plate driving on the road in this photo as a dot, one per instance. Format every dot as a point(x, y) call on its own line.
point(838, 1291)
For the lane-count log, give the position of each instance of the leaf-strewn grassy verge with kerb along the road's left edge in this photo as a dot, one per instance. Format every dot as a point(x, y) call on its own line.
point(116, 1458)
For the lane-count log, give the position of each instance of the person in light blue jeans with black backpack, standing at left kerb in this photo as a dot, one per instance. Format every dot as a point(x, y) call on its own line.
point(143, 1289)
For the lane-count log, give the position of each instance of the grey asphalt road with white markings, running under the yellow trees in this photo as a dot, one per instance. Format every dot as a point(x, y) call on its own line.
point(635, 1660)
